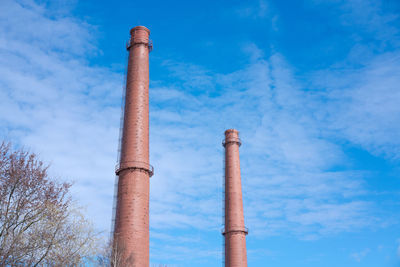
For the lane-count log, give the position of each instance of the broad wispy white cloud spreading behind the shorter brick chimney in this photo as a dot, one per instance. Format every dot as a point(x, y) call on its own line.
point(286, 158)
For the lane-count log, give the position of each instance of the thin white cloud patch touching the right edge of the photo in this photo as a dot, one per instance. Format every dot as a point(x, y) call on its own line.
point(364, 106)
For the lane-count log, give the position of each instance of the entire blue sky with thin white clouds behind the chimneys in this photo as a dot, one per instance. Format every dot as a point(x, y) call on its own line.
point(312, 86)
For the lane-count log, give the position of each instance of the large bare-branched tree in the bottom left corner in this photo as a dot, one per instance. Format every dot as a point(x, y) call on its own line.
point(38, 223)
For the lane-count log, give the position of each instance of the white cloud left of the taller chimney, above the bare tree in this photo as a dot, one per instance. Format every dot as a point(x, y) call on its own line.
point(53, 102)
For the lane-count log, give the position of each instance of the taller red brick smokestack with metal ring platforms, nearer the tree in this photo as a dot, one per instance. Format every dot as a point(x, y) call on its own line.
point(131, 230)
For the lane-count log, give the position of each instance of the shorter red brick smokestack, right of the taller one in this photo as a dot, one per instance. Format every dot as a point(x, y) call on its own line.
point(234, 232)
